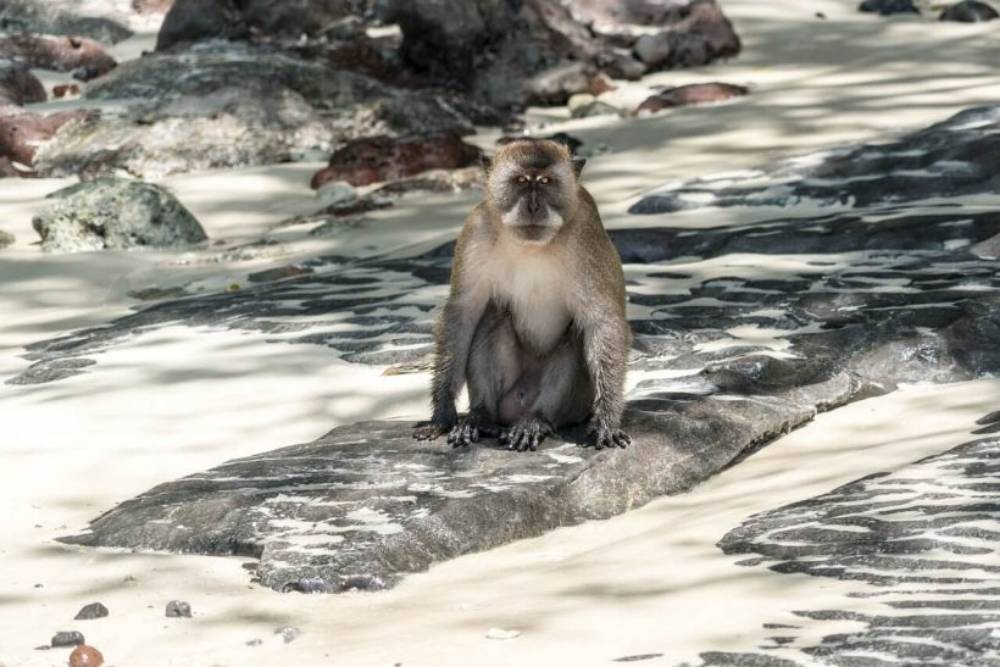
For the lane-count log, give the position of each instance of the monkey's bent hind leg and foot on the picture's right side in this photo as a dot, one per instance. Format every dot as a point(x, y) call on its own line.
point(554, 391)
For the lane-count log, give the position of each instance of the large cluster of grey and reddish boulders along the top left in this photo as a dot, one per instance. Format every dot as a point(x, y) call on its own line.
point(241, 83)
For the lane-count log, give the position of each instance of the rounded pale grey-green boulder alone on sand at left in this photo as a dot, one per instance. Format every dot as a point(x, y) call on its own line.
point(116, 214)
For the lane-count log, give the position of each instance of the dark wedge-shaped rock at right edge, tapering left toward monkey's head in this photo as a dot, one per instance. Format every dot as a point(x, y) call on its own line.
point(955, 157)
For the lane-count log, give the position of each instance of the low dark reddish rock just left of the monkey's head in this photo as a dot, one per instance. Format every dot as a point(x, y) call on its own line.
point(382, 158)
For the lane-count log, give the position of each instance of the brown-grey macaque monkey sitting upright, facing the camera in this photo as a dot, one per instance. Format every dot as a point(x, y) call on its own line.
point(535, 321)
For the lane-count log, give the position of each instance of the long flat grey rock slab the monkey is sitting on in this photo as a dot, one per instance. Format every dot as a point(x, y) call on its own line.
point(366, 504)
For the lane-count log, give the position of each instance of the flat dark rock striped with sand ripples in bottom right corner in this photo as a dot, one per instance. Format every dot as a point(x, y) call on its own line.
point(924, 537)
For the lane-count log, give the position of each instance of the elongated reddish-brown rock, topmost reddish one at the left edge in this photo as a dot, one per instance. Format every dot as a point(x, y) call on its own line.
point(84, 57)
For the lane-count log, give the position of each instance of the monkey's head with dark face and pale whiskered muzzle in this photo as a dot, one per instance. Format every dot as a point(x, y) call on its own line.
point(532, 183)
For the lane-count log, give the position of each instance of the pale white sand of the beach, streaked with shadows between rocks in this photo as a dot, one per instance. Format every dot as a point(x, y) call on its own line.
point(181, 400)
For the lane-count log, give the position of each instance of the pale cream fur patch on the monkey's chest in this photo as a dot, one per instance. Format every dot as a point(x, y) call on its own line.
point(535, 296)
